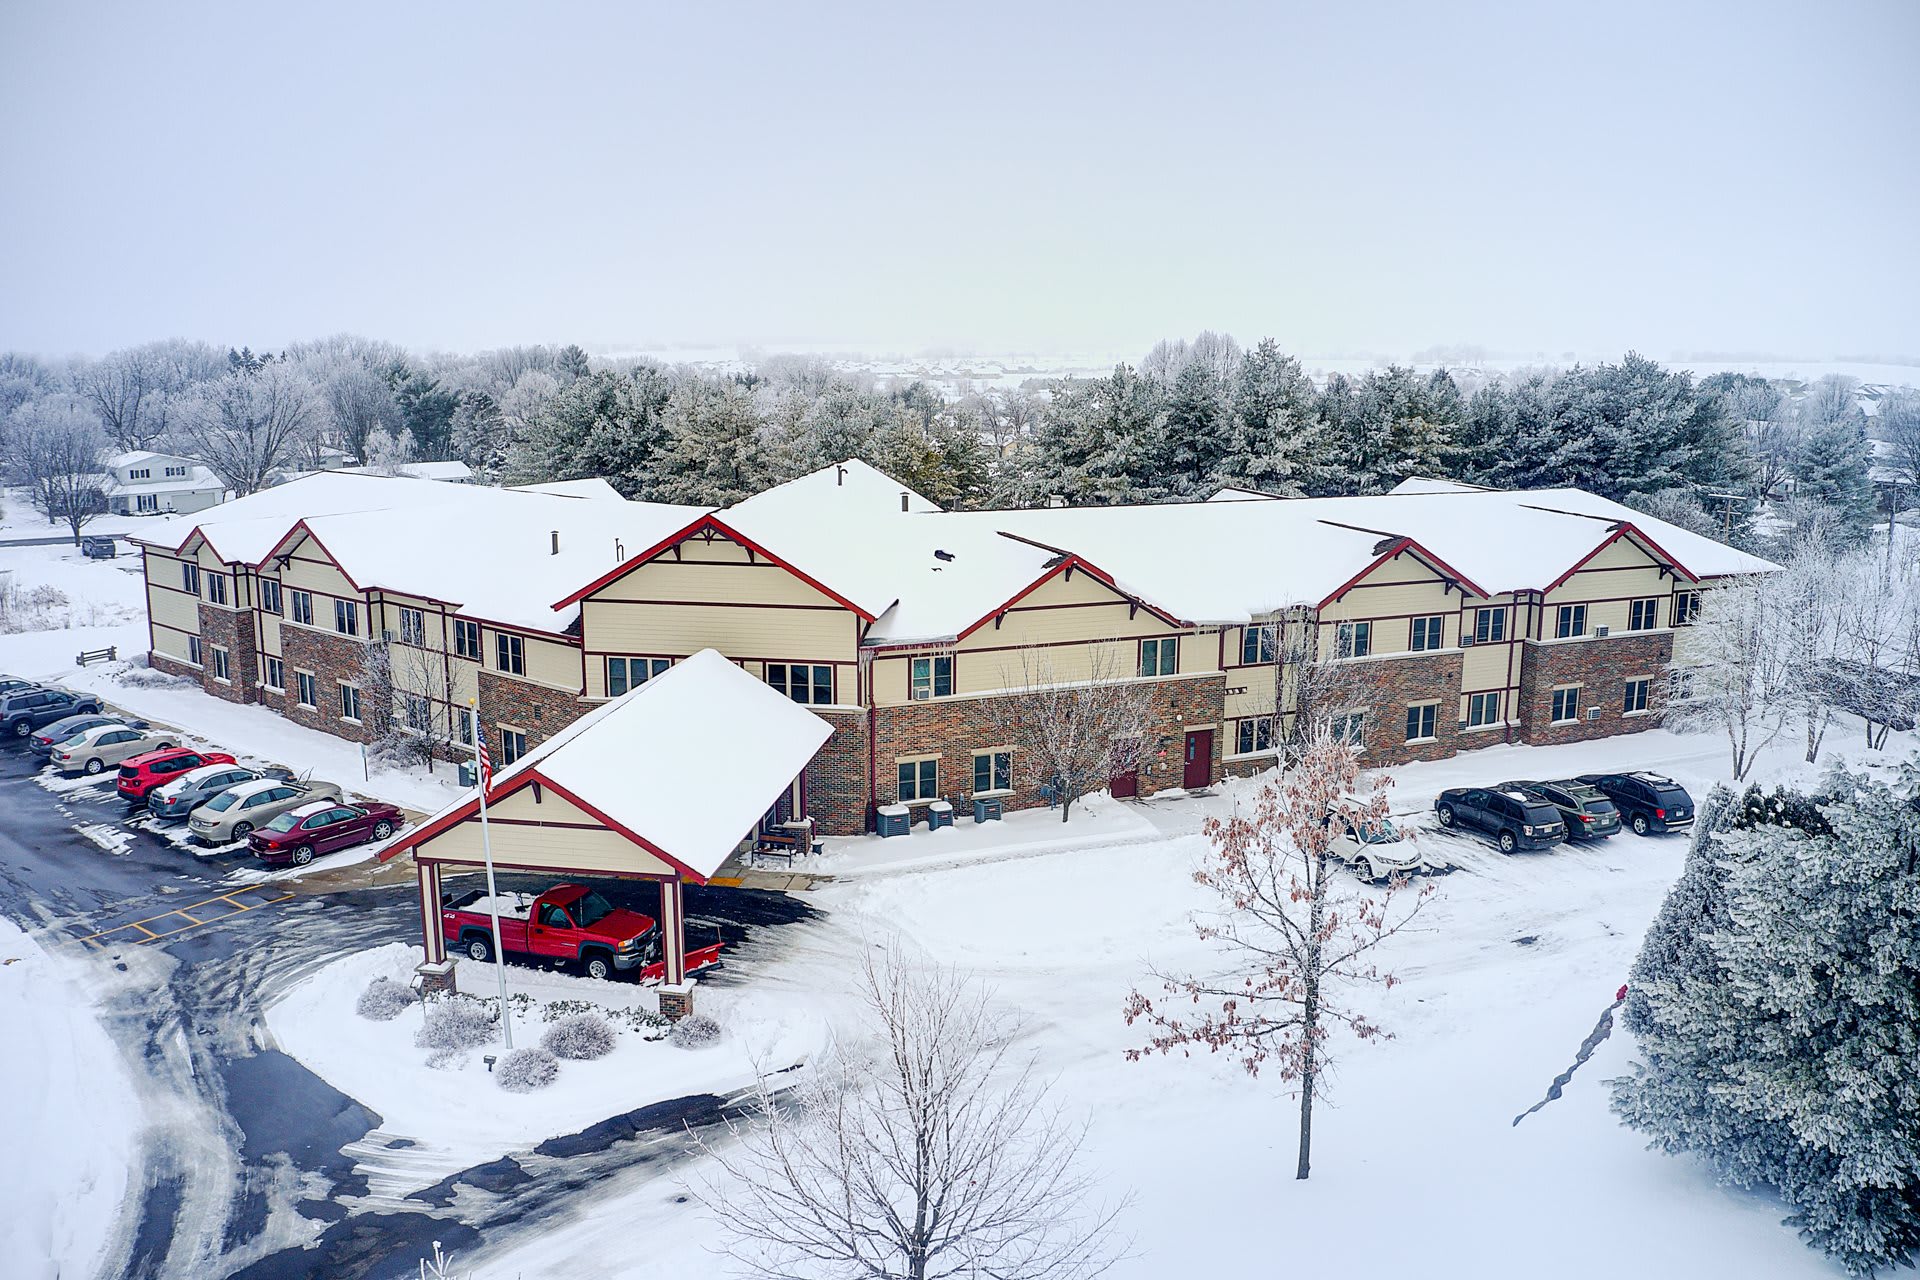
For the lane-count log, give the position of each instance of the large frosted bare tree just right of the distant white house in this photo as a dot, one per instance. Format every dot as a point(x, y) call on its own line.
point(251, 425)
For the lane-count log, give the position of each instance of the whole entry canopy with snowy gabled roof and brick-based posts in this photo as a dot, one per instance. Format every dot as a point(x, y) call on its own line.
point(661, 784)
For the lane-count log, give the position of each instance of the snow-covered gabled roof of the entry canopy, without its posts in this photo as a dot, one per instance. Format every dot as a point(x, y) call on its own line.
point(683, 767)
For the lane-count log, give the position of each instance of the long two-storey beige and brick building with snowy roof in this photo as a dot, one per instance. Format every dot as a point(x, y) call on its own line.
point(1420, 625)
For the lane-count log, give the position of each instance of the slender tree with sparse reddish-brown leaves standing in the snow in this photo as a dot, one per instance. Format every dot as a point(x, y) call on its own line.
point(1295, 943)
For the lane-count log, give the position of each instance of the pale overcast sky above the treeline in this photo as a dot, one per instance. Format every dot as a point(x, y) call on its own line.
point(1343, 178)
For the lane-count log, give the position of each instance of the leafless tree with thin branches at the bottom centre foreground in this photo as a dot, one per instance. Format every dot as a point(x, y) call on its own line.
point(928, 1152)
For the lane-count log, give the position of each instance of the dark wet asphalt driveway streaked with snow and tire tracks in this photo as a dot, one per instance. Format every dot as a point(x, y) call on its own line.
point(245, 1173)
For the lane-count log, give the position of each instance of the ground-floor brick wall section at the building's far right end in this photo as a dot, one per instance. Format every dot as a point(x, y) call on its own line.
point(1602, 669)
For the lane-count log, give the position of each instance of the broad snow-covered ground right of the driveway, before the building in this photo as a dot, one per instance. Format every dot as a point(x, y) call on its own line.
point(1418, 1166)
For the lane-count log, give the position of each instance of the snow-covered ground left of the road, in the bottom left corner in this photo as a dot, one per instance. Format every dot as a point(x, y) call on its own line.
point(72, 1120)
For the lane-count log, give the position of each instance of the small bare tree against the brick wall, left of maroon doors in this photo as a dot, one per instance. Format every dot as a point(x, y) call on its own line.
point(1076, 732)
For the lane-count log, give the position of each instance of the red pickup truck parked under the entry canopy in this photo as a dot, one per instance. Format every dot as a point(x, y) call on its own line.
point(569, 922)
